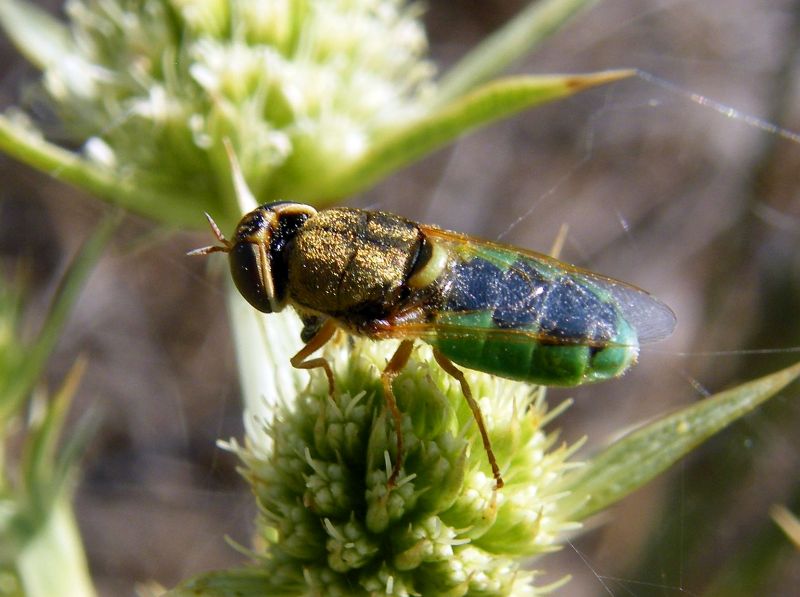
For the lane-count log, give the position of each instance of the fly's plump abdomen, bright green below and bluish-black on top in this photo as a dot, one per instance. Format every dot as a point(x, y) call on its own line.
point(521, 320)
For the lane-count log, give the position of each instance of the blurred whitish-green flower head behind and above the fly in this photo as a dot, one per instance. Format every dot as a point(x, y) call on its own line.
point(300, 88)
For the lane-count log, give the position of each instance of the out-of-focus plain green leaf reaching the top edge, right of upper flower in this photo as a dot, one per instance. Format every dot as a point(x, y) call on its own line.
point(499, 50)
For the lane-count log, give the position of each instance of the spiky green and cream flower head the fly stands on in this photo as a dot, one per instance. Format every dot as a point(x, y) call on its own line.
point(332, 525)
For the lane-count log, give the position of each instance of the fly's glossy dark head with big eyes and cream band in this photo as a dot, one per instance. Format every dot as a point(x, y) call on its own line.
point(259, 252)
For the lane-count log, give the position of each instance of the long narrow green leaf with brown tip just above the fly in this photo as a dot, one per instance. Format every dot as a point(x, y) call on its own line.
point(487, 104)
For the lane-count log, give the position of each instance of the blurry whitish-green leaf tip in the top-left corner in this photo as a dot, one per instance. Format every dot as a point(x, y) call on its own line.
point(41, 38)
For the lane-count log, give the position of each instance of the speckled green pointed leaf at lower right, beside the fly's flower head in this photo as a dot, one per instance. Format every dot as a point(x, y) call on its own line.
point(638, 457)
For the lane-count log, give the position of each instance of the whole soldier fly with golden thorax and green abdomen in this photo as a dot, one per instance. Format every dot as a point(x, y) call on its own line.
point(482, 305)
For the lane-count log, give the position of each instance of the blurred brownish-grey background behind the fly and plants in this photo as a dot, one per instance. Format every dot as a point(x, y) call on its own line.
point(659, 187)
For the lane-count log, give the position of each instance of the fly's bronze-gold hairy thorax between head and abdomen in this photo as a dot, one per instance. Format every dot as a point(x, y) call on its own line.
point(347, 259)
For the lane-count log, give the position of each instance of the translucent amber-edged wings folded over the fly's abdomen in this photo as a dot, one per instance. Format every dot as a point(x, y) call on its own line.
point(527, 296)
